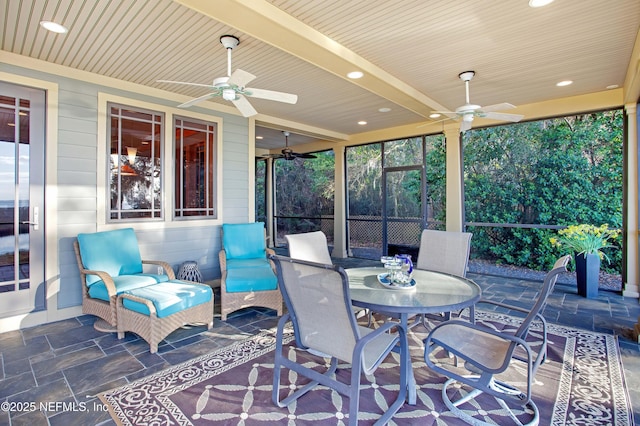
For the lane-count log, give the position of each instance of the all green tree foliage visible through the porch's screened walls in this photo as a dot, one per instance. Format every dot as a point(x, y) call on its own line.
point(555, 172)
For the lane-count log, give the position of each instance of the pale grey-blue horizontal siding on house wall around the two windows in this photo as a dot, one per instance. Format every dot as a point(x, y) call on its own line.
point(77, 194)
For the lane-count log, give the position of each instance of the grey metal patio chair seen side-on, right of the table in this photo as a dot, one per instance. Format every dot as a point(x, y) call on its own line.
point(487, 352)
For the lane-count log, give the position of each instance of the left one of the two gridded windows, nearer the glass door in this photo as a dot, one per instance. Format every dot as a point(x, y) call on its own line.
point(135, 164)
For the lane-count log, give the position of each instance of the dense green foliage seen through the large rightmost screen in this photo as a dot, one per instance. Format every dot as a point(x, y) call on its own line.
point(560, 171)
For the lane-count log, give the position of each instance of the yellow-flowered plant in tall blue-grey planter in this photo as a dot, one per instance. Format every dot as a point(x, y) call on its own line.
point(586, 242)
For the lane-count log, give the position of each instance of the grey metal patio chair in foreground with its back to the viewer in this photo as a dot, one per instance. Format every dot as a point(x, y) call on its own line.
point(319, 307)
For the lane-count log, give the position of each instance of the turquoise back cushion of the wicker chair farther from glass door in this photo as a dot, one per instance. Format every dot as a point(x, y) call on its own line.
point(244, 240)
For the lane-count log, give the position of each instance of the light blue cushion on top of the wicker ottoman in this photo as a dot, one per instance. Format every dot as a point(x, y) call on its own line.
point(168, 297)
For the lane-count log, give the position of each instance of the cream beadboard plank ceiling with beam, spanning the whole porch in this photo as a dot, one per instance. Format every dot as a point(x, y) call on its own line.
point(410, 51)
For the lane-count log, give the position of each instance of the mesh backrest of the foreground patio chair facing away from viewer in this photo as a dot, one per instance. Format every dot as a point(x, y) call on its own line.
point(318, 301)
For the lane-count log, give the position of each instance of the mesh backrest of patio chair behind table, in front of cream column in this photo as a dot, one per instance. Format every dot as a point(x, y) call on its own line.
point(444, 251)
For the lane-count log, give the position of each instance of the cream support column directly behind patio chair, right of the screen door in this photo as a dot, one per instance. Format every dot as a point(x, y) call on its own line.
point(454, 206)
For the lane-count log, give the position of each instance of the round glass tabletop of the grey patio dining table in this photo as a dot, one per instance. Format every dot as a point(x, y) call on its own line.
point(434, 292)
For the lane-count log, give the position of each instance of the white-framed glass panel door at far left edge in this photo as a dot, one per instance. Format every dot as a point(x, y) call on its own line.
point(22, 286)
